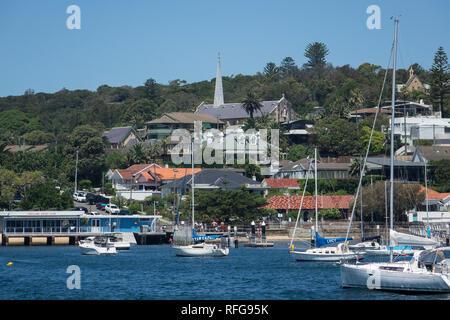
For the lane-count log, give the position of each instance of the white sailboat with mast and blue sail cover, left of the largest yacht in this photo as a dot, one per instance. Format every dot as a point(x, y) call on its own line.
point(324, 254)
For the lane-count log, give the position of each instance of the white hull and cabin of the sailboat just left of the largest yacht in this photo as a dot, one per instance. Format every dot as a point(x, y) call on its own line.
point(327, 254)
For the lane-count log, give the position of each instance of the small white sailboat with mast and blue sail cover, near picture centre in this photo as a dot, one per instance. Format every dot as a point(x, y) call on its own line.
point(187, 243)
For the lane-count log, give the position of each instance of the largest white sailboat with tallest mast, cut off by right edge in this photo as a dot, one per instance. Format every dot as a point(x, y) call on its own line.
point(427, 271)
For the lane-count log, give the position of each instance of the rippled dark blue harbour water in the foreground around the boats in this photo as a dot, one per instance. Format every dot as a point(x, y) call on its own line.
point(154, 272)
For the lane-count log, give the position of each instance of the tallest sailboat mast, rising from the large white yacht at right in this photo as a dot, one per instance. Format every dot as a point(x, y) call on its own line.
point(392, 130)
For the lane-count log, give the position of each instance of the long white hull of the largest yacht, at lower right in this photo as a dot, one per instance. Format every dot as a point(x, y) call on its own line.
point(370, 276)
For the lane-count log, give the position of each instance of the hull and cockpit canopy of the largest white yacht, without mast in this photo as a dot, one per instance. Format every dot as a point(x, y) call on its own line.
point(426, 271)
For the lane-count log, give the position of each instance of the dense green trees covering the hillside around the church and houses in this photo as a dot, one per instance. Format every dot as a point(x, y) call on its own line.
point(73, 120)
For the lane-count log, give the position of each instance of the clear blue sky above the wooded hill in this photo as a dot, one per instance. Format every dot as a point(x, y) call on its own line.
point(127, 42)
